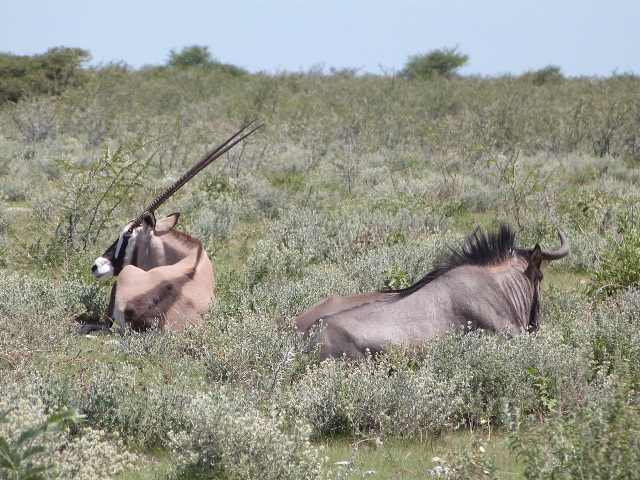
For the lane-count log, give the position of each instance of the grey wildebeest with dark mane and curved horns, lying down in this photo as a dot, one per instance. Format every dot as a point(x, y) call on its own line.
point(488, 284)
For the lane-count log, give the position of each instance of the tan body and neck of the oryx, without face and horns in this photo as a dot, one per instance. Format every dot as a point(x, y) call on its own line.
point(172, 284)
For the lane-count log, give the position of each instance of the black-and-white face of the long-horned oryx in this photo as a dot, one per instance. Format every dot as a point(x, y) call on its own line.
point(122, 251)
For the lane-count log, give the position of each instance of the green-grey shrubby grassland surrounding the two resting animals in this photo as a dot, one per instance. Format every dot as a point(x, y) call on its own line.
point(355, 184)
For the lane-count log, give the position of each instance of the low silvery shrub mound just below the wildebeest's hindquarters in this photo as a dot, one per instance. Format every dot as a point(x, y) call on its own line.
point(339, 398)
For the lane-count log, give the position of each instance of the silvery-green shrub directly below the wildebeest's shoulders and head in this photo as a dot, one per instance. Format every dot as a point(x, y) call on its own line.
point(494, 371)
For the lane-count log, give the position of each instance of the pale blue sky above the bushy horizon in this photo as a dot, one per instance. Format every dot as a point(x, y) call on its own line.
point(583, 38)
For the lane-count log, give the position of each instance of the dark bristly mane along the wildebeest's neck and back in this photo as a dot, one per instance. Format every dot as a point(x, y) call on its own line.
point(484, 250)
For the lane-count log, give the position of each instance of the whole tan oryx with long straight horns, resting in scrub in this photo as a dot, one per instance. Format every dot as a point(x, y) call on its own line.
point(164, 275)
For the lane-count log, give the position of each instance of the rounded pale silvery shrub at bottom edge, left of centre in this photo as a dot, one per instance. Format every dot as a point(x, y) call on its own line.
point(226, 434)
